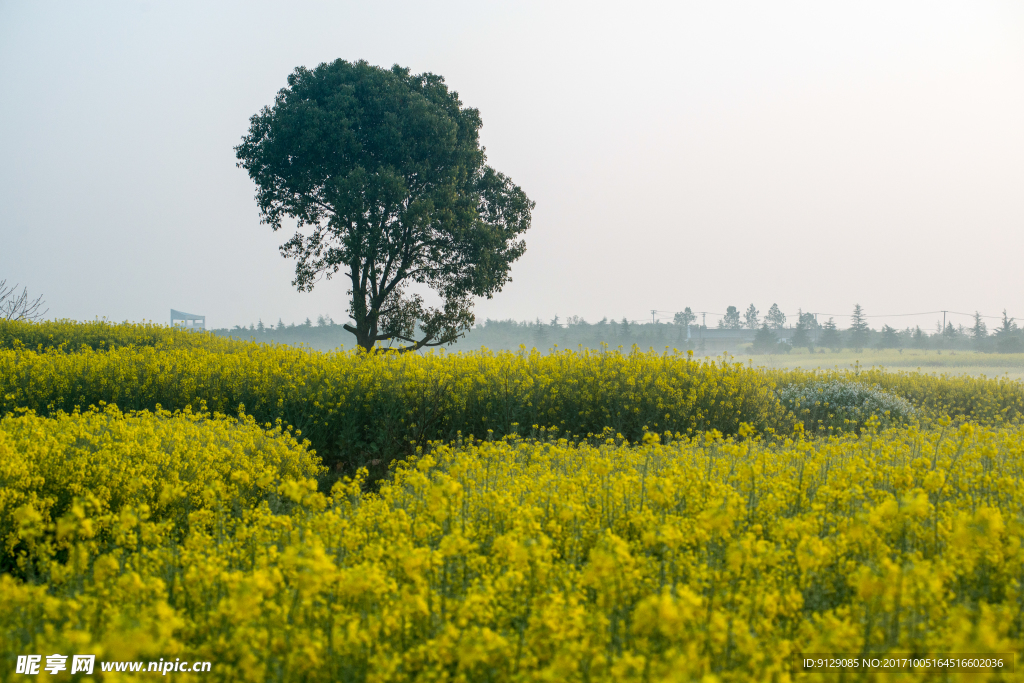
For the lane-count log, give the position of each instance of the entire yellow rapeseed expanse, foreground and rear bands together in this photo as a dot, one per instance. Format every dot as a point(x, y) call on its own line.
point(692, 532)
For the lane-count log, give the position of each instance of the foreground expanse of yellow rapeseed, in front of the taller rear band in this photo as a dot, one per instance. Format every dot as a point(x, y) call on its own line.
point(674, 560)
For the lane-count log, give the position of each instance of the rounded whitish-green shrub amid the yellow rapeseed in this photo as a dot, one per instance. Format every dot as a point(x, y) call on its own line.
point(844, 405)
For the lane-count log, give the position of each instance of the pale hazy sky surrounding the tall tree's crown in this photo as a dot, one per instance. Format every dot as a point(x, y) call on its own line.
point(815, 154)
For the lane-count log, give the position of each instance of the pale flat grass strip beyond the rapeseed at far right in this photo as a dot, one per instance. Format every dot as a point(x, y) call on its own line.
point(946, 362)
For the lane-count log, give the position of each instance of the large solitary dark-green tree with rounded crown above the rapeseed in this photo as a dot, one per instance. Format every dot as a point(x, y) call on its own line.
point(385, 177)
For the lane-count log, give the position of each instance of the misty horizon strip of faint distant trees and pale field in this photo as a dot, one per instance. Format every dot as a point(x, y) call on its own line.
point(976, 351)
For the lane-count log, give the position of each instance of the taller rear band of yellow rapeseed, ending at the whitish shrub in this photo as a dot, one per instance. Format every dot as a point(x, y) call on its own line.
point(357, 409)
